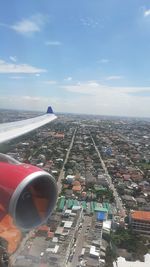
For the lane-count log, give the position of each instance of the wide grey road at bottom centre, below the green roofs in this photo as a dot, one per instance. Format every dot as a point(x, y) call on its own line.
point(80, 242)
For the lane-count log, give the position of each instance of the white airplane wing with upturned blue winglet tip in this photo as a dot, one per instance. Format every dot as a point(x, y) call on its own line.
point(15, 129)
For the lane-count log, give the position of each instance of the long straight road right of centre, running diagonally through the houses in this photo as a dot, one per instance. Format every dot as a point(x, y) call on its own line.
point(117, 198)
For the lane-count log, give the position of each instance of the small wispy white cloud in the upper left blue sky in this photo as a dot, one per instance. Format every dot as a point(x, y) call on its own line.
point(30, 25)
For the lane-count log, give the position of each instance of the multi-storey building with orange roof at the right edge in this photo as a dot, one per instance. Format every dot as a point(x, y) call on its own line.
point(140, 221)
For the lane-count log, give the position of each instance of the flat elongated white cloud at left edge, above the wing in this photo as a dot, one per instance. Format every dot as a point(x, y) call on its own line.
point(6, 67)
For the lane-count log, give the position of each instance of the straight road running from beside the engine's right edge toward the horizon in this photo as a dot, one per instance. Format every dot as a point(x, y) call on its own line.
point(62, 172)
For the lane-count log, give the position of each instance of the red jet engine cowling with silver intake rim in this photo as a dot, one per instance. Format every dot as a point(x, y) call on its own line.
point(27, 193)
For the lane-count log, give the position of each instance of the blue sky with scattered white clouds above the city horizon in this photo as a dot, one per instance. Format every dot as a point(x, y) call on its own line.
point(80, 56)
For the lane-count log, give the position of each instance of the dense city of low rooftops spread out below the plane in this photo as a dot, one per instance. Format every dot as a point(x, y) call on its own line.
point(102, 168)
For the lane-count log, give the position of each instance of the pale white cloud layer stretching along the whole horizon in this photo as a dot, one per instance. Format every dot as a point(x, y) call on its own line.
point(89, 97)
